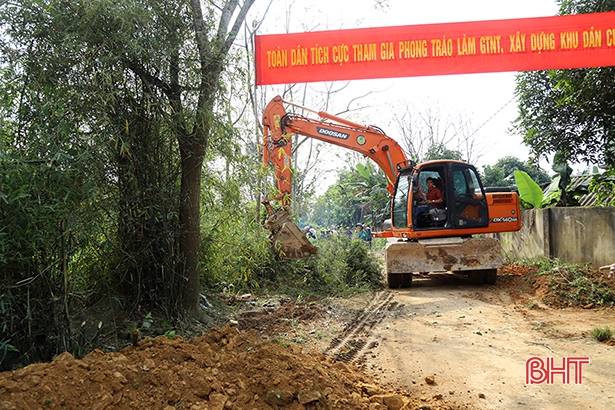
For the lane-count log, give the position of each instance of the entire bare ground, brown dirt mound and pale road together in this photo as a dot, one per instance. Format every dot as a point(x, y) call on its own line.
point(443, 344)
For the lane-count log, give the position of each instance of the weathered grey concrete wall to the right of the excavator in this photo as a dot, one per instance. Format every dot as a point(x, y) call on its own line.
point(576, 235)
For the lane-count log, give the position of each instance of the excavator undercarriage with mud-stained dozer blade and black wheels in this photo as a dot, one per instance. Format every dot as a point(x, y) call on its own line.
point(479, 258)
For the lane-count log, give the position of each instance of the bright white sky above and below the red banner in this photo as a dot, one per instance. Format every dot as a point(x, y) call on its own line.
point(486, 99)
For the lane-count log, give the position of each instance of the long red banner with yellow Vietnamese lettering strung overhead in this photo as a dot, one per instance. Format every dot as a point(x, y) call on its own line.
point(571, 41)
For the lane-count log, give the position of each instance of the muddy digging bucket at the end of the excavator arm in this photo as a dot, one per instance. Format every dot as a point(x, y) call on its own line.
point(287, 238)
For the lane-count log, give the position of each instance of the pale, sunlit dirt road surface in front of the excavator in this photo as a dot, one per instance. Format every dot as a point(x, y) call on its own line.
point(473, 343)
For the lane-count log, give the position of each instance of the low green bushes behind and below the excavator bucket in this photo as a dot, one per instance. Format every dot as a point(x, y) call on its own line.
point(239, 259)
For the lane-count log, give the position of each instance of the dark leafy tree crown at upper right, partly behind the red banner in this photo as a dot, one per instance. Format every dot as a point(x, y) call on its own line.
point(570, 111)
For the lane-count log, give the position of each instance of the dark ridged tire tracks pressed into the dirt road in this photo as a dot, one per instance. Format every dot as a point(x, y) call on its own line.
point(347, 346)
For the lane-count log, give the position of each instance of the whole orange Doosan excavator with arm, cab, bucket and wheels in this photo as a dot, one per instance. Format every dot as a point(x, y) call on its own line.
point(446, 236)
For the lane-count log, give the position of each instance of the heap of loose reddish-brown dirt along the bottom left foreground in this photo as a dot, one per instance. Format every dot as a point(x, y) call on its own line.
point(223, 369)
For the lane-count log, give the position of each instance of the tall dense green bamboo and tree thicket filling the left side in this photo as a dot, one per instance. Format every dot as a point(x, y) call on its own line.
point(96, 98)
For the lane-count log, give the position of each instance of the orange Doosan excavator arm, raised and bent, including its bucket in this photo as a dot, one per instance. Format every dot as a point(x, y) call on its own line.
point(278, 127)
